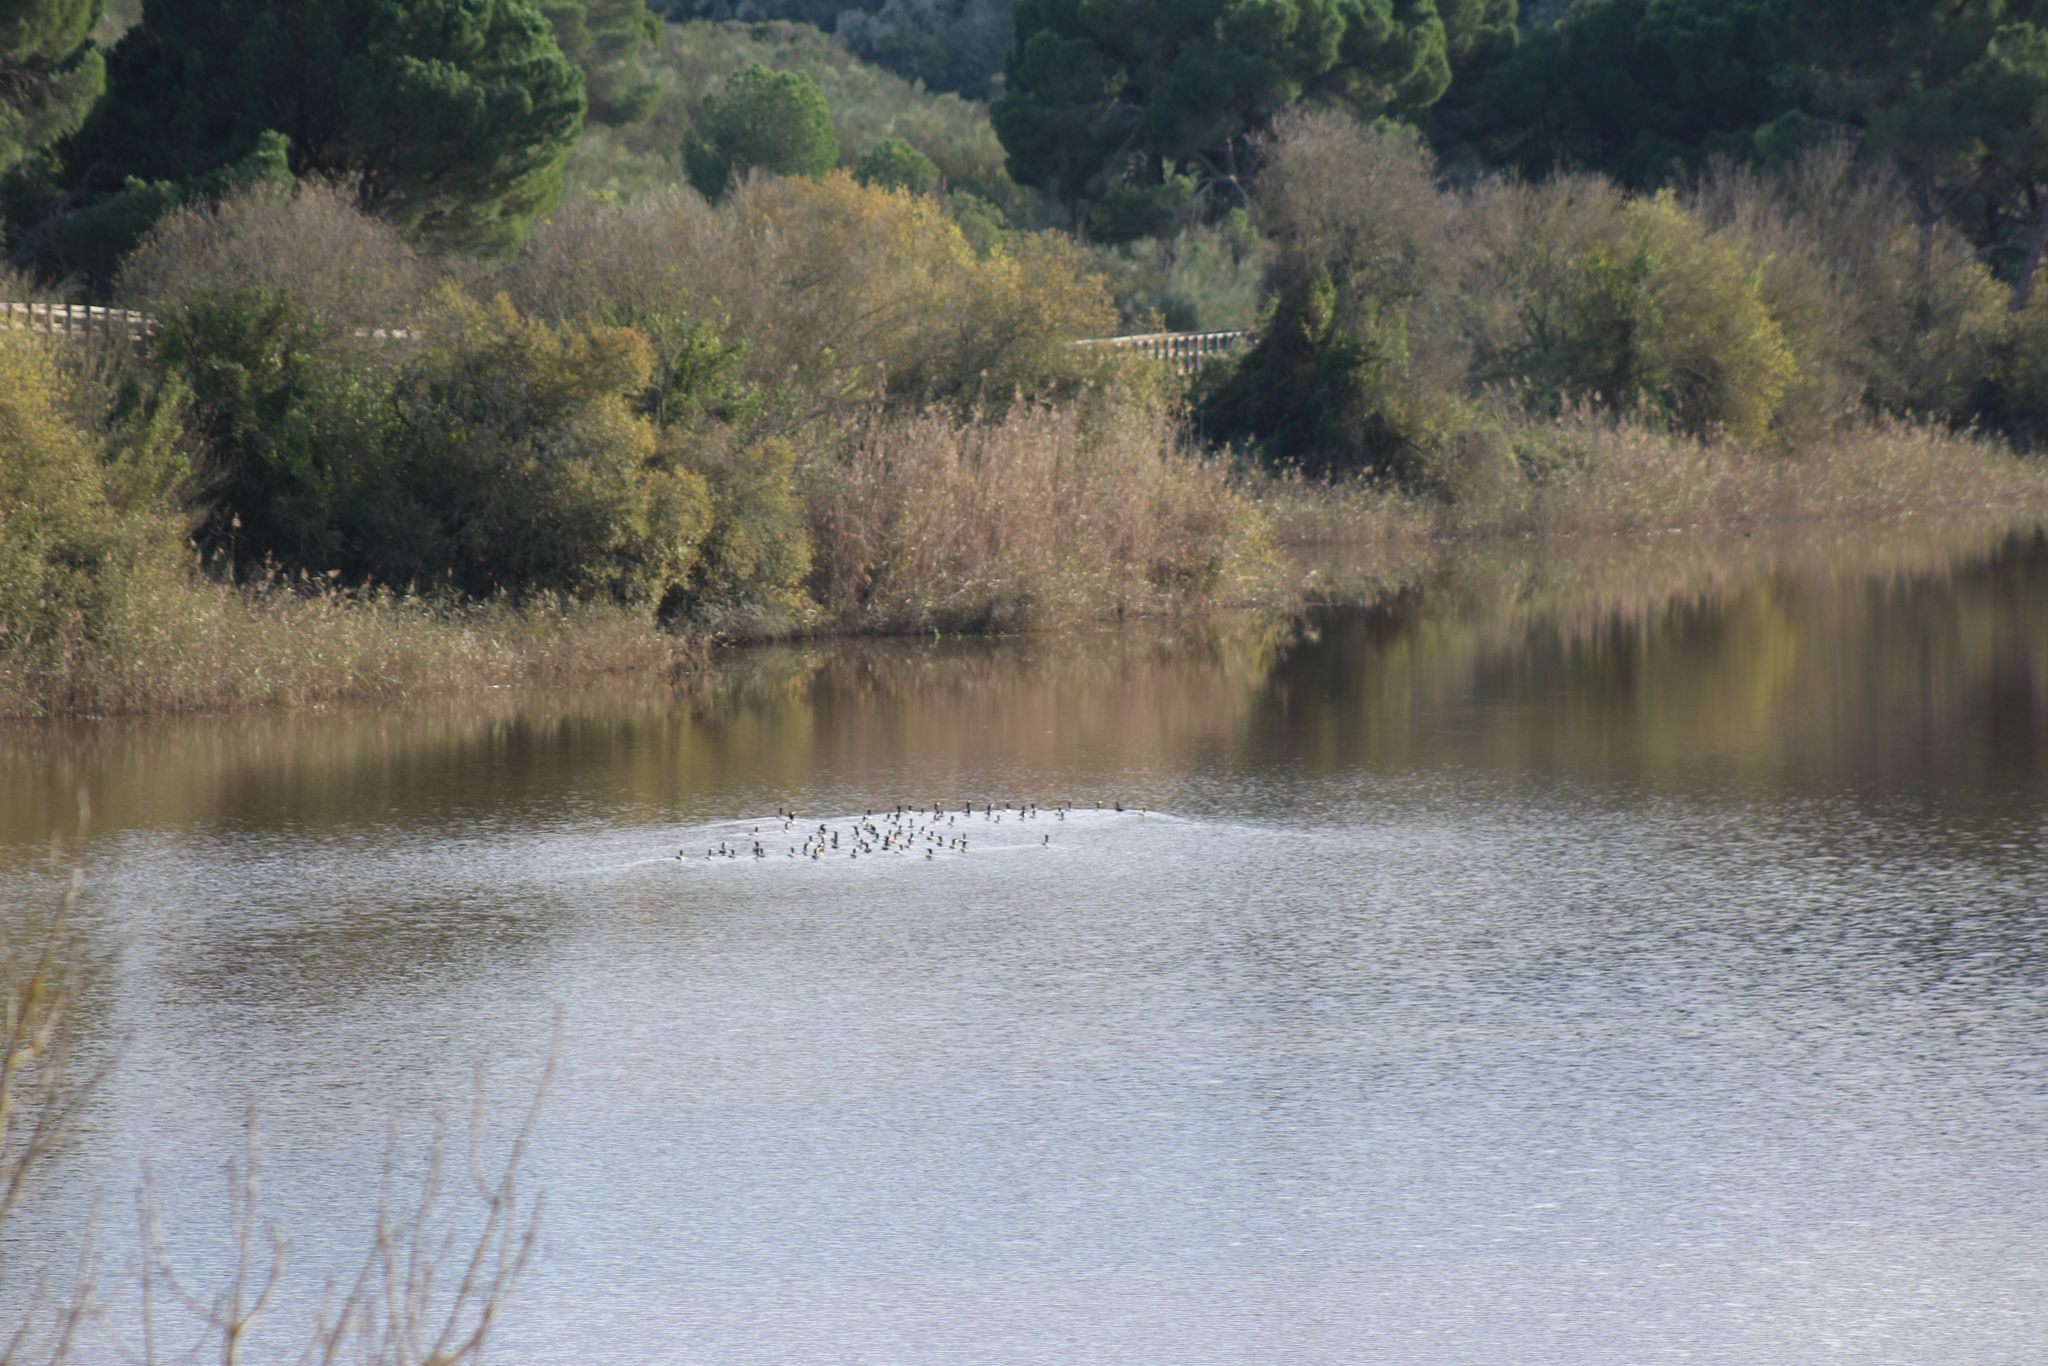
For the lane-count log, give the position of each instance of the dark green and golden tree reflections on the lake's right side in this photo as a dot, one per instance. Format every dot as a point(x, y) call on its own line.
point(1887, 658)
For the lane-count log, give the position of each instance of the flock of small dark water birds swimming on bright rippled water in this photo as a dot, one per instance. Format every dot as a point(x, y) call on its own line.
point(900, 833)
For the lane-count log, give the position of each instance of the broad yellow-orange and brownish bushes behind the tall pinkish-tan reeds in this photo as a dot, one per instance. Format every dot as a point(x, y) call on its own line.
point(839, 294)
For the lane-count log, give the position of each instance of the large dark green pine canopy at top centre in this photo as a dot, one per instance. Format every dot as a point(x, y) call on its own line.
point(1129, 93)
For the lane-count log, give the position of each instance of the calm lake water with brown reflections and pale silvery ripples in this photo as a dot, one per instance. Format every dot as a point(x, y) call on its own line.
point(1590, 962)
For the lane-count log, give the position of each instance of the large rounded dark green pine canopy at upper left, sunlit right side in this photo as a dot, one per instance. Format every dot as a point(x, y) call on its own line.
point(452, 118)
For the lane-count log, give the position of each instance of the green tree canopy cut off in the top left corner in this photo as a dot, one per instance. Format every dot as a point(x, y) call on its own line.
point(50, 75)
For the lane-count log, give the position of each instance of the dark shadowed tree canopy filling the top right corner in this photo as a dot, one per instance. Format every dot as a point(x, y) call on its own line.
point(1955, 97)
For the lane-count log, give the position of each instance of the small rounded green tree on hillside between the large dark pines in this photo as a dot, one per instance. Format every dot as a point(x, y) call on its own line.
point(763, 120)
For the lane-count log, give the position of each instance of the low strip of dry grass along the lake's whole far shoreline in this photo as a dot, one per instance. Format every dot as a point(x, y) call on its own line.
point(335, 648)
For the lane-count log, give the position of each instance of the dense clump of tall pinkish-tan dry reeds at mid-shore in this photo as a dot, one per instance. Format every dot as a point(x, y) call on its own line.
point(1048, 517)
